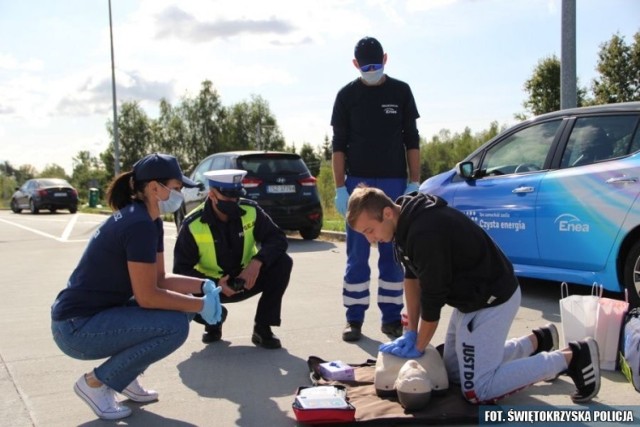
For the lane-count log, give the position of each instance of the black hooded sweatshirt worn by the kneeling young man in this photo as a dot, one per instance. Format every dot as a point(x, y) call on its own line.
point(456, 261)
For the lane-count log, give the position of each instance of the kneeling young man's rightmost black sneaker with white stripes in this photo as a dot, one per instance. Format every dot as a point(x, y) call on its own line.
point(584, 369)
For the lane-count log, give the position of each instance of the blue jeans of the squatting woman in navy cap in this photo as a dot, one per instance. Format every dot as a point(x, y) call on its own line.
point(131, 337)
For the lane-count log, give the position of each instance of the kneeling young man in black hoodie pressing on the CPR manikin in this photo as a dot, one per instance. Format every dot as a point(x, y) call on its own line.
point(449, 259)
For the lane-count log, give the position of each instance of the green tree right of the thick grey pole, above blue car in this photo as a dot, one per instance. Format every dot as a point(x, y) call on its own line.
point(619, 68)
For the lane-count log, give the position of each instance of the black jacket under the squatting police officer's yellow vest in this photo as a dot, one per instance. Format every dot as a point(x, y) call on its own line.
point(271, 240)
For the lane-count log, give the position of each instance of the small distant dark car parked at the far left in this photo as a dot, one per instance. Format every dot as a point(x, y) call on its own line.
point(45, 193)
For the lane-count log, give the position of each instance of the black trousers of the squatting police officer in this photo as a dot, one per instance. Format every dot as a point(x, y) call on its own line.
point(271, 283)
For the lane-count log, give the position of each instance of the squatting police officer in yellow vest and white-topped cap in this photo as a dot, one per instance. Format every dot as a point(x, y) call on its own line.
point(217, 240)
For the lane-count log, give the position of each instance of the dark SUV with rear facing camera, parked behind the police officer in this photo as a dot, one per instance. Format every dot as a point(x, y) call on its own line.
point(279, 182)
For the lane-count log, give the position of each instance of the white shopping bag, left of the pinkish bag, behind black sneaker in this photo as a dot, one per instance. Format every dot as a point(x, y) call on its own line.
point(578, 314)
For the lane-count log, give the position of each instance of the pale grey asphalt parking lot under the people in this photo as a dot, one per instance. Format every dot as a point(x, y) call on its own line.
point(229, 383)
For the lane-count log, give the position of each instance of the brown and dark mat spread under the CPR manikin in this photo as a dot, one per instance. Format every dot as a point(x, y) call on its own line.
point(448, 407)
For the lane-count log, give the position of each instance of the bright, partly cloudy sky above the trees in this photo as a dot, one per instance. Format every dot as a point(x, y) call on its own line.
point(465, 60)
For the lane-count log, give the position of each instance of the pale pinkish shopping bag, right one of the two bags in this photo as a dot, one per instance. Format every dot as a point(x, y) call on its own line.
point(608, 324)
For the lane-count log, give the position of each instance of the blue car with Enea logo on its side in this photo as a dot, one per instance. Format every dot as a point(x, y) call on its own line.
point(559, 194)
